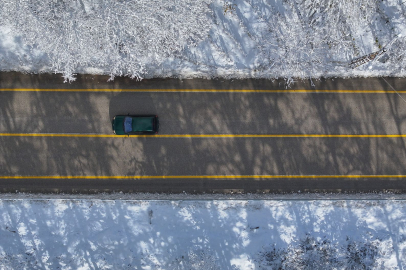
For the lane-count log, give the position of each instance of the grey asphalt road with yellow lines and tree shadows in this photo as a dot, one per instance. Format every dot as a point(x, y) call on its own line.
point(216, 136)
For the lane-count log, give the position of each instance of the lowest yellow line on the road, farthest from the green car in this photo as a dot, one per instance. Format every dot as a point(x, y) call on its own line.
point(198, 176)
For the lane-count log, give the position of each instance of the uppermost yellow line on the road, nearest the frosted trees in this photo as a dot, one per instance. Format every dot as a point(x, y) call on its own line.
point(205, 90)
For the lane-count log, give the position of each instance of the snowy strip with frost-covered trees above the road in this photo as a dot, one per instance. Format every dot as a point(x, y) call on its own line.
point(204, 38)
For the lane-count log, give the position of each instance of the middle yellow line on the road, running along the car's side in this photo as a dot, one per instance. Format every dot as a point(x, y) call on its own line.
point(205, 135)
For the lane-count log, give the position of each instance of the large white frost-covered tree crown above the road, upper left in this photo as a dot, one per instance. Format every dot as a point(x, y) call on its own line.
point(120, 36)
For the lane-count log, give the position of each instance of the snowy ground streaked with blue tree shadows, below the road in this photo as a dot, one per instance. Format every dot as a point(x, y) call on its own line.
point(290, 233)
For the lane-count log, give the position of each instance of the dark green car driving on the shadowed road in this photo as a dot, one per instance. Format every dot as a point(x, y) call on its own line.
point(135, 124)
